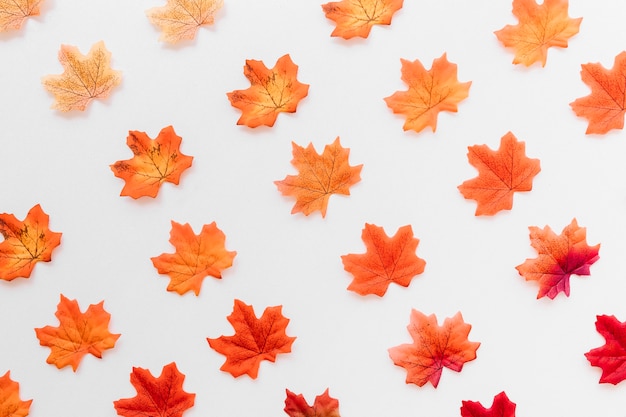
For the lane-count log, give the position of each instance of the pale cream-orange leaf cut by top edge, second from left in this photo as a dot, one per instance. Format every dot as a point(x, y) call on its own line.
point(180, 19)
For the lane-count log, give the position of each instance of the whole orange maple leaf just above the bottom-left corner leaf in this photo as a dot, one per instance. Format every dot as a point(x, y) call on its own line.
point(77, 334)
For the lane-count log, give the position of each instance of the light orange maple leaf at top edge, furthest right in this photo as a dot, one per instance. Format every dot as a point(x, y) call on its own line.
point(540, 27)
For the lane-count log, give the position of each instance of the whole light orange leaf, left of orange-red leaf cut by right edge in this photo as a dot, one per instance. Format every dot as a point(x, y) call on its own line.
point(430, 92)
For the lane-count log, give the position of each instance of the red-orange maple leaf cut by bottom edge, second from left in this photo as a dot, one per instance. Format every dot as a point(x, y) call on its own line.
point(156, 397)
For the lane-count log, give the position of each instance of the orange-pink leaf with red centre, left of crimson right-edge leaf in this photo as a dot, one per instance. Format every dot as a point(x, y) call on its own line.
point(434, 347)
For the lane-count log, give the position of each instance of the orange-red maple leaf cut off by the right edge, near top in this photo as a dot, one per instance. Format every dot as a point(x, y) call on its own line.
point(606, 105)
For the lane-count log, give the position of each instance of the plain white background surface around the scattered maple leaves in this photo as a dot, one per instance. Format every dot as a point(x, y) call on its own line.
point(532, 349)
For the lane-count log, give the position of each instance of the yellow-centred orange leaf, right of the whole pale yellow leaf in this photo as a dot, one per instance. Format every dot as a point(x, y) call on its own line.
point(271, 92)
